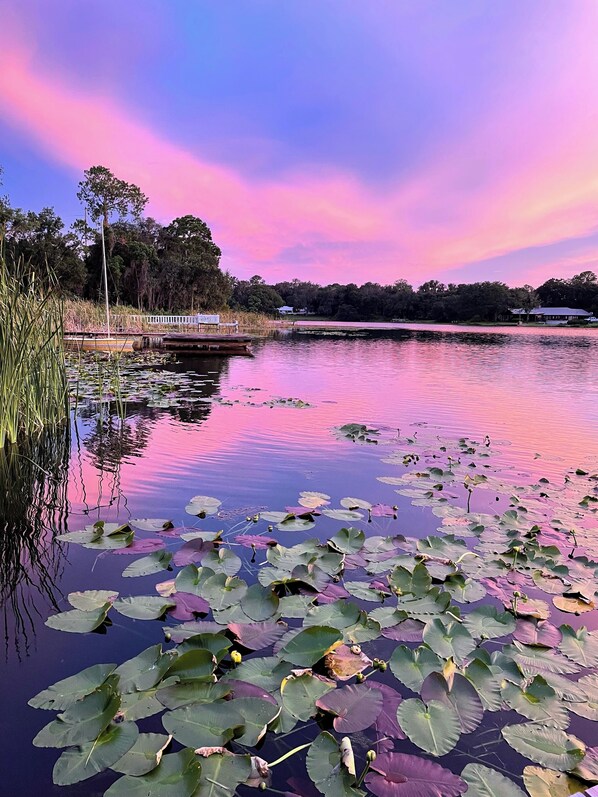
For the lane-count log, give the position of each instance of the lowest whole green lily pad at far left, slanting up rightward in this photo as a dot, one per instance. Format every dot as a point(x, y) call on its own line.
point(80, 763)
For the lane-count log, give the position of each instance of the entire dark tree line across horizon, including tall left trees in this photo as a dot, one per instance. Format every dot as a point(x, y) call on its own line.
point(176, 267)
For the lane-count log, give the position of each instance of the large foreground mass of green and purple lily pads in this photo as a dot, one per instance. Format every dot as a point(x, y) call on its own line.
point(383, 650)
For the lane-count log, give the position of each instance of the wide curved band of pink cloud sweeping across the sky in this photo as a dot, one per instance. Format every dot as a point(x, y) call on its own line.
point(525, 175)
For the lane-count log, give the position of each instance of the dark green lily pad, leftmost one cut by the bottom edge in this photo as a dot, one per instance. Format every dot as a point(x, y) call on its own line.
point(176, 776)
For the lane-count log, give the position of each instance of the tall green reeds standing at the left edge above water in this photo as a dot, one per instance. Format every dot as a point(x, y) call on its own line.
point(33, 386)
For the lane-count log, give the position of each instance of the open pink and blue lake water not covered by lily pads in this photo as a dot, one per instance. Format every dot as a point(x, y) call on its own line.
point(533, 391)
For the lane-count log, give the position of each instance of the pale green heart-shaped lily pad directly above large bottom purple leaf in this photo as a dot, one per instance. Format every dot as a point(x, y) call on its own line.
point(434, 727)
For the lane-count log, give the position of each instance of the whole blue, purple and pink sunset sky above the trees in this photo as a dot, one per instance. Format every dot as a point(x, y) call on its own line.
point(327, 140)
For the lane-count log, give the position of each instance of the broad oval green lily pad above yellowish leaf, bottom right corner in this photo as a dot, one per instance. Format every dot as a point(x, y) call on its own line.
point(550, 747)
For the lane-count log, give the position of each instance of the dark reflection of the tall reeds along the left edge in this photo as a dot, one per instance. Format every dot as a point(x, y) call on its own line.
point(33, 508)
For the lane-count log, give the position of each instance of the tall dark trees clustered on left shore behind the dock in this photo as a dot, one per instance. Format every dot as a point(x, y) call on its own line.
point(150, 265)
